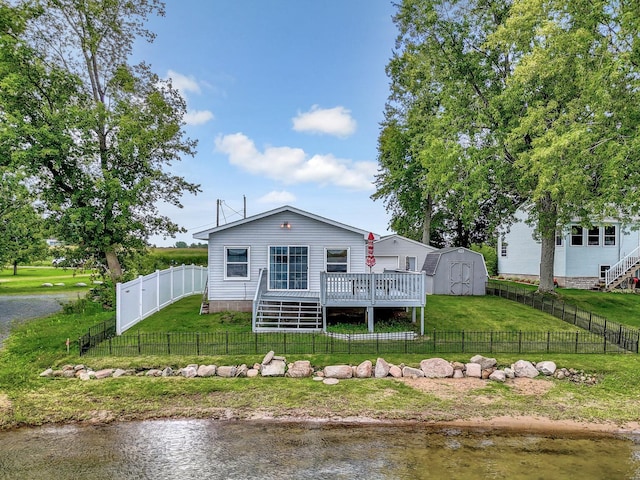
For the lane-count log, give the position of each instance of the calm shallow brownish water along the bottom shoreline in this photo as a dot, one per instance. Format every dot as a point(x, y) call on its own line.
point(202, 449)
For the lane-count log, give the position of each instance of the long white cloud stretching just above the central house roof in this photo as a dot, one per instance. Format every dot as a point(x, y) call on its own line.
point(292, 165)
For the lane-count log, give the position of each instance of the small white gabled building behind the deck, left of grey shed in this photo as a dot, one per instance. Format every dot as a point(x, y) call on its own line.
point(395, 252)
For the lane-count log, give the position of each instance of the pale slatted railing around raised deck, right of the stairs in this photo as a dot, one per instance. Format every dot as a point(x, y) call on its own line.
point(397, 288)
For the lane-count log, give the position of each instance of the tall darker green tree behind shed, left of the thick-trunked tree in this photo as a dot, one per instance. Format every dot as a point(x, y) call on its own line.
point(441, 170)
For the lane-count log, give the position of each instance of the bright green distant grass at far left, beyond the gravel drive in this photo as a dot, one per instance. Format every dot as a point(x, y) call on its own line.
point(29, 280)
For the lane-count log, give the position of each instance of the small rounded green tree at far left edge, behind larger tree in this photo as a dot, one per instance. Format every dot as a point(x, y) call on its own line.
point(21, 226)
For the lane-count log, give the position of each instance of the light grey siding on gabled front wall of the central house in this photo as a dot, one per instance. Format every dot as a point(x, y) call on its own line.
point(262, 233)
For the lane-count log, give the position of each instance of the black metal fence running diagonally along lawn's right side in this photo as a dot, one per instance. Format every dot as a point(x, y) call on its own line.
point(626, 338)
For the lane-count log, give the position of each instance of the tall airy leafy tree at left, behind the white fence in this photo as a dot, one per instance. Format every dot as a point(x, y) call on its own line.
point(96, 132)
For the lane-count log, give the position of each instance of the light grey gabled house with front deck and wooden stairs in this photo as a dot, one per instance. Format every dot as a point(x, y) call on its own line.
point(288, 266)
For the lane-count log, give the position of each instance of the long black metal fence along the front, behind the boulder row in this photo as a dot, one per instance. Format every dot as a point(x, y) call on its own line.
point(228, 343)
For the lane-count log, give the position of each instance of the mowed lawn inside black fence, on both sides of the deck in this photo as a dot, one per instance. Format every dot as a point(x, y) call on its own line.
point(443, 313)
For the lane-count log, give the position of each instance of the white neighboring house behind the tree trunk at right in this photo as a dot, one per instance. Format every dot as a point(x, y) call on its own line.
point(604, 254)
